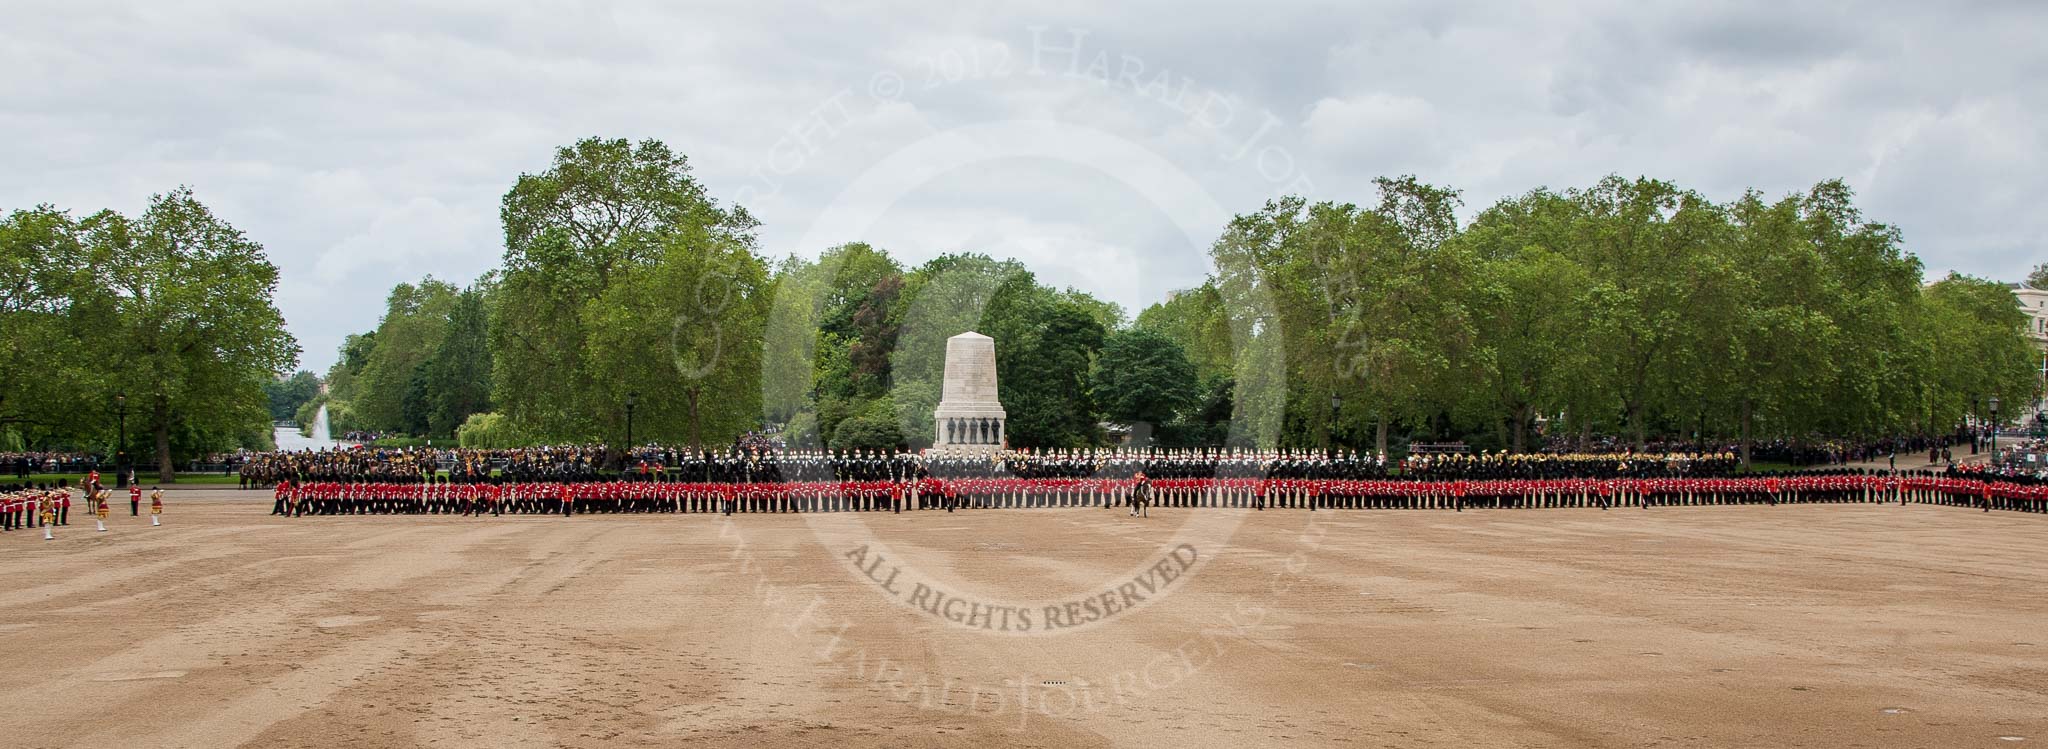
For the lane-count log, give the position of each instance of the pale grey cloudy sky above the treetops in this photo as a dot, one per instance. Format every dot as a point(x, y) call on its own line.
point(368, 144)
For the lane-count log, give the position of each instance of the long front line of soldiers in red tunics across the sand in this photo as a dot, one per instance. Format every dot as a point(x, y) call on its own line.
point(955, 488)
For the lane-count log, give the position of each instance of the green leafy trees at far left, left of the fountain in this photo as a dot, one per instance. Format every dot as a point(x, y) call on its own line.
point(159, 324)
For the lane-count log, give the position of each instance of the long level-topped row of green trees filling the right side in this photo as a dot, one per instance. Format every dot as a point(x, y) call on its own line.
point(1631, 308)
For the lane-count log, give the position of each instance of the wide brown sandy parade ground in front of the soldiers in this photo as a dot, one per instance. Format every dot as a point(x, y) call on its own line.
point(1672, 627)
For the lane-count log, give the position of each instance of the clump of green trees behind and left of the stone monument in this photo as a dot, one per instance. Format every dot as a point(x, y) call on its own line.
point(626, 283)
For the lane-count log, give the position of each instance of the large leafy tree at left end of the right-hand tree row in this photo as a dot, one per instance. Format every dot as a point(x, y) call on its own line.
point(1357, 304)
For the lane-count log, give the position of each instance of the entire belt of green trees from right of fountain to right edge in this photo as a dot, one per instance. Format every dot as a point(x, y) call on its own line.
point(1631, 308)
